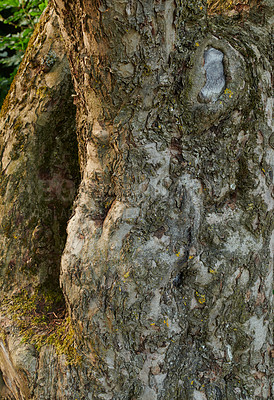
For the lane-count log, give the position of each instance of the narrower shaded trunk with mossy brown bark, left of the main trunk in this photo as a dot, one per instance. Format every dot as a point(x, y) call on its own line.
point(39, 177)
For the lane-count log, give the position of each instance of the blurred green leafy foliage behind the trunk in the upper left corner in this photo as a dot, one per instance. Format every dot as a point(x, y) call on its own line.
point(17, 22)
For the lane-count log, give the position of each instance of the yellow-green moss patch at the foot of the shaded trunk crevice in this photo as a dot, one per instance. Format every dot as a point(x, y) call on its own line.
point(41, 318)
